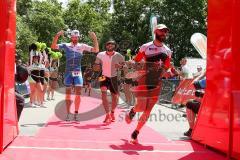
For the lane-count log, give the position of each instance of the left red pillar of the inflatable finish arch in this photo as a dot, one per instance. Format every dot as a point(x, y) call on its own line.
point(8, 116)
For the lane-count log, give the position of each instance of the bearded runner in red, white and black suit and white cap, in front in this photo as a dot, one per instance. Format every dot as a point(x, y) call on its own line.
point(156, 57)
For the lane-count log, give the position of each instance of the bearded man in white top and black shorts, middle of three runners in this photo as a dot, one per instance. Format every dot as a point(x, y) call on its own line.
point(110, 60)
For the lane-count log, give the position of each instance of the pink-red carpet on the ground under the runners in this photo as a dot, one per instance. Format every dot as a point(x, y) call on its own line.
point(89, 139)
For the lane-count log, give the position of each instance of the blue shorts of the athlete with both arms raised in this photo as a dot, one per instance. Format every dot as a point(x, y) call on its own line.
point(69, 80)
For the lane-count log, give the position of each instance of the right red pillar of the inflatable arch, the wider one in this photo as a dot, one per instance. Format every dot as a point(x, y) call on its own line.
point(218, 123)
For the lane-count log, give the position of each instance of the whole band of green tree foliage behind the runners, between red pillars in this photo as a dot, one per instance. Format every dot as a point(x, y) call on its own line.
point(128, 24)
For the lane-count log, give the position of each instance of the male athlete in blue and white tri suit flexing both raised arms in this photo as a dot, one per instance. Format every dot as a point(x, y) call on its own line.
point(73, 75)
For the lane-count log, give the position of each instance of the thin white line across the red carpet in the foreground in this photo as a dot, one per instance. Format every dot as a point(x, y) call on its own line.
point(104, 150)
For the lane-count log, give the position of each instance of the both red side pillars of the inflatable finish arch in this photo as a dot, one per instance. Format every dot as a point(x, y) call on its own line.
point(218, 122)
